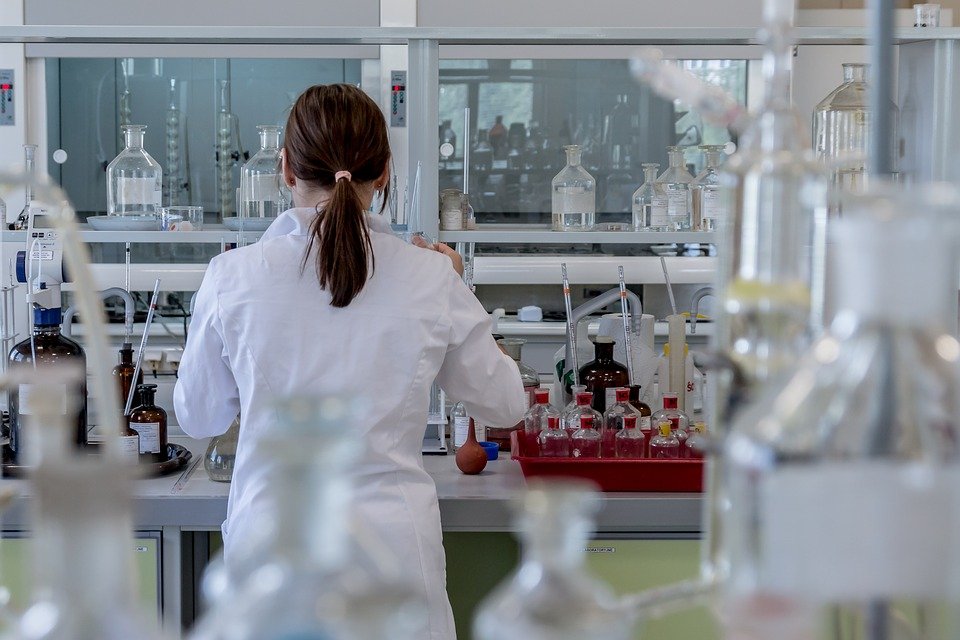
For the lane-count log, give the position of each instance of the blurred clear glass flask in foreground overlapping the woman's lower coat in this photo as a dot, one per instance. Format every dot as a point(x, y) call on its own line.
point(305, 578)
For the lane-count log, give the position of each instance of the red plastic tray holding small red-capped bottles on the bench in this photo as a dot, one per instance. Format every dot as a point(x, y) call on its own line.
point(667, 476)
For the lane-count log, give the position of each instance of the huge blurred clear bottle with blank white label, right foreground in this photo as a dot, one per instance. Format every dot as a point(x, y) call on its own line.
point(833, 473)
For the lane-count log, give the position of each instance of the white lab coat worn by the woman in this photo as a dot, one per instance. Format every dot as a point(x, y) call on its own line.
point(260, 329)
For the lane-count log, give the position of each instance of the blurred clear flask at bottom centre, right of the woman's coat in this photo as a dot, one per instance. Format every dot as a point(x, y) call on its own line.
point(551, 596)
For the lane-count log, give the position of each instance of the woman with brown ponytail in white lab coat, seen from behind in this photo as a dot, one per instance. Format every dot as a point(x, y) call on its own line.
point(330, 302)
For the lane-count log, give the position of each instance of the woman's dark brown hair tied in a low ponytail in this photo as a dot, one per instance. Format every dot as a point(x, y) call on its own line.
point(332, 129)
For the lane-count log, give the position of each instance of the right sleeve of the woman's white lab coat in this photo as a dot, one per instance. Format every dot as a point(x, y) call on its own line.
point(474, 370)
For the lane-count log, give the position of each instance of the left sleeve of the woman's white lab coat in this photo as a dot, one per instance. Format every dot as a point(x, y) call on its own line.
point(206, 398)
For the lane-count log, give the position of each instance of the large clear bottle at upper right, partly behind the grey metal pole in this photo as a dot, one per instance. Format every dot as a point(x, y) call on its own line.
point(841, 130)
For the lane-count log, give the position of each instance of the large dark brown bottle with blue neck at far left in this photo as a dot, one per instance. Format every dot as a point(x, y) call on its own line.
point(50, 348)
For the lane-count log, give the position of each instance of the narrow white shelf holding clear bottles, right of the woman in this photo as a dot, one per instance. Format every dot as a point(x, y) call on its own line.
point(541, 234)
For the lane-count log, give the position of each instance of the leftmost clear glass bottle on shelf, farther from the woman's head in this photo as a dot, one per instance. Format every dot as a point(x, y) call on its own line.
point(134, 179)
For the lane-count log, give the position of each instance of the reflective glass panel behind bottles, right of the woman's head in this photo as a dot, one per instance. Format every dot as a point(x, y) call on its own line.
point(524, 111)
